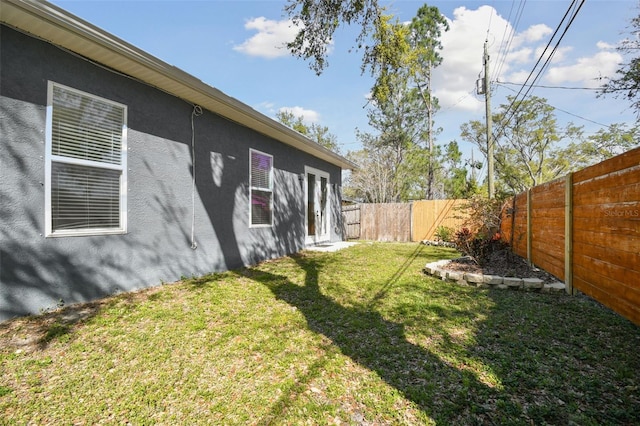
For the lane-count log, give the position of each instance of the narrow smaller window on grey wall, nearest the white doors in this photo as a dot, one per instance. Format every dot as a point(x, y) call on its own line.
point(261, 177)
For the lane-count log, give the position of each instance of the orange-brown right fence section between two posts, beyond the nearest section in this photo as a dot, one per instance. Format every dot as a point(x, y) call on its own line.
point(547, 227)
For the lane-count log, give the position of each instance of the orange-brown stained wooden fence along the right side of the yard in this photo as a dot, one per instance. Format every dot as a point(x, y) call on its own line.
point(585, 230)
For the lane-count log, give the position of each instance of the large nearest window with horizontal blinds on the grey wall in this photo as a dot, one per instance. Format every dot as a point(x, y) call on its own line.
point(86, 164)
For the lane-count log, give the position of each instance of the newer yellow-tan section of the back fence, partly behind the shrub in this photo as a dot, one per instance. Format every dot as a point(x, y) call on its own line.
point(428, 215)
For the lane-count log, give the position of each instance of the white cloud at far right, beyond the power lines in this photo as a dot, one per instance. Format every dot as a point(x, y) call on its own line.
point(586, 70)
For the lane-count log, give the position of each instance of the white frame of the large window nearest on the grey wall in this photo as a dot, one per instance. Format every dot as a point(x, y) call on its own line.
point(50, 158)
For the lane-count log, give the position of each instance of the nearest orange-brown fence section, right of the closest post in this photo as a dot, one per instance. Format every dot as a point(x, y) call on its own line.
point(606, 233)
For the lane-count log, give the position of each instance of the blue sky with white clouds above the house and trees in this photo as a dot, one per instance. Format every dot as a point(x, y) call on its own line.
point(236, 46)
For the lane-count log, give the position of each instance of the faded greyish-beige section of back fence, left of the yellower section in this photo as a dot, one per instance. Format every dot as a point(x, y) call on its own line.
point(385, 222)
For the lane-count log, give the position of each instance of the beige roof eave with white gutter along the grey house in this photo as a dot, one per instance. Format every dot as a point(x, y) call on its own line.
point(51, 23)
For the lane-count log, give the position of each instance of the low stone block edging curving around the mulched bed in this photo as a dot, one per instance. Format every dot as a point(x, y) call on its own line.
point(437, 269)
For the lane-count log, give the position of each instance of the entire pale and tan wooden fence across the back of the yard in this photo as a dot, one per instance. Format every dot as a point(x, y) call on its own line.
point(415, 221)
